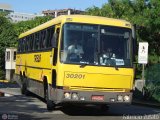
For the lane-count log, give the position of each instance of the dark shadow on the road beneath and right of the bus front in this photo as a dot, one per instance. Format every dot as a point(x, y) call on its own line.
point(114, 110)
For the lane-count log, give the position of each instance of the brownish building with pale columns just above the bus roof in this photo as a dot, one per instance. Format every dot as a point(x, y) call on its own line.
point(56, 13)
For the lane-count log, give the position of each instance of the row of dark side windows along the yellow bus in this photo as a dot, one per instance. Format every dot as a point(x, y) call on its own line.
point(32, 40)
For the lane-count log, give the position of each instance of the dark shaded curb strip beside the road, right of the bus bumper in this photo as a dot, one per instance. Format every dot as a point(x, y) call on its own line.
point(146, 103)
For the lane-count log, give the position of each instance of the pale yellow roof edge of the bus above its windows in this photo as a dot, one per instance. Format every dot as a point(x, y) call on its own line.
point(79, 19)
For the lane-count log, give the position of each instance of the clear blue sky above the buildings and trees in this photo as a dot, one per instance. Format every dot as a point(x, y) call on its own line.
point(37, 6)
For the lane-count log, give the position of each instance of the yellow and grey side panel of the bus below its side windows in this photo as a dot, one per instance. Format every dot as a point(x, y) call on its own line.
point(35, 66)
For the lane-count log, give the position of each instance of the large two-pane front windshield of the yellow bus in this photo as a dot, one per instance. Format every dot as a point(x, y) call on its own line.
point(96, 45)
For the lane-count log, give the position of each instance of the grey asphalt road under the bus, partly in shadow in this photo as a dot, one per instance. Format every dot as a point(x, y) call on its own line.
point(20, 107)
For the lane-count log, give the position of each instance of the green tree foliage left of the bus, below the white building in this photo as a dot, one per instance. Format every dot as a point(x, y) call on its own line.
point(9, 33)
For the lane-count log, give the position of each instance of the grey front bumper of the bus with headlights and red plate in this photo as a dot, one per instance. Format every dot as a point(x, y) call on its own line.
point(72, 96)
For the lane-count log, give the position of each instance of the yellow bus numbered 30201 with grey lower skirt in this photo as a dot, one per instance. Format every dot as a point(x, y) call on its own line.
point(78, 59)
